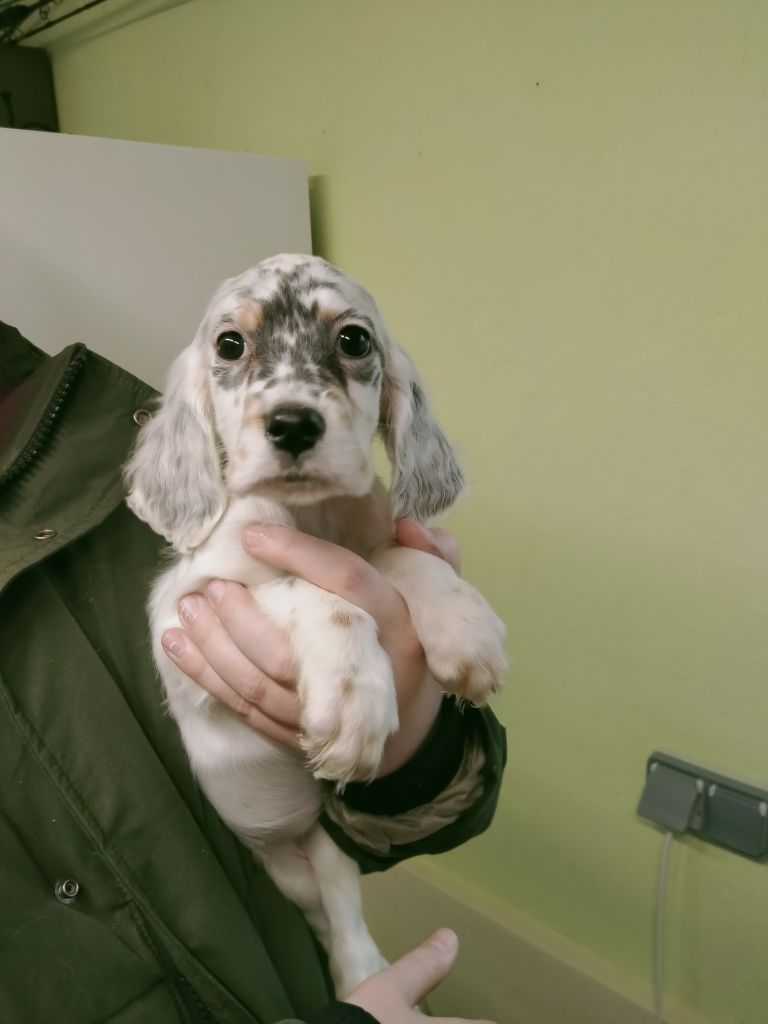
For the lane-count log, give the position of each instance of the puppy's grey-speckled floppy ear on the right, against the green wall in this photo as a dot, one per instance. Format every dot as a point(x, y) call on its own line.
point(426, 477)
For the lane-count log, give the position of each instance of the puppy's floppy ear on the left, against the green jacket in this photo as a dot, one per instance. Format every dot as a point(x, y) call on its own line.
point(175, 477)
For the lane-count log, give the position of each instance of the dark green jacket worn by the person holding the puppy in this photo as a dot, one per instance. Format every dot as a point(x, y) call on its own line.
point(174, 921)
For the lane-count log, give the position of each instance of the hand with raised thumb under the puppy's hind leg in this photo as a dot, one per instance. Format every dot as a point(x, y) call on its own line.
point(392, 996)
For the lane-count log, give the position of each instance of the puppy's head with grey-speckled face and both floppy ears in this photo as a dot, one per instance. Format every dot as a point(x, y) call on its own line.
point(290, 375)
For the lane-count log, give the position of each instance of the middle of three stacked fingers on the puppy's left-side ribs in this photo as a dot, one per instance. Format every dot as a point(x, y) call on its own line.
point(229, 663)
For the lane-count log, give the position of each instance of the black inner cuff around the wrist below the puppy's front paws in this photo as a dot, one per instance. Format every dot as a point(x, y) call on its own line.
point(423, 778)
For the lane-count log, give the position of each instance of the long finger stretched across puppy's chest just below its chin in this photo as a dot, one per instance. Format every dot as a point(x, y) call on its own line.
point(323, 564)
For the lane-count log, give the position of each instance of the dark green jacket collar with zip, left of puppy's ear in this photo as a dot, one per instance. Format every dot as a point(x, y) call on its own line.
point(69, 428)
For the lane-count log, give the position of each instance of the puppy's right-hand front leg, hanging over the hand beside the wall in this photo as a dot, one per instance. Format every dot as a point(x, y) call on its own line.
point(463, 639)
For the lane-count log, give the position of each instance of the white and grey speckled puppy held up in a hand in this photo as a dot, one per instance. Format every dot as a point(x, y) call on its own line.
point(269, 416)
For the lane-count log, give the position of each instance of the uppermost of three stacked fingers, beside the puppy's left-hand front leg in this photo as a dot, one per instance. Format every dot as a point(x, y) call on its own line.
point(253, 630)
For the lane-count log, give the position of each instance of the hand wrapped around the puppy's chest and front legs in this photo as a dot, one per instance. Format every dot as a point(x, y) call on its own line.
point(235, 652)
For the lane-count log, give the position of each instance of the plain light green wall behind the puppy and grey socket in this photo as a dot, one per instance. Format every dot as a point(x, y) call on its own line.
point(562, 207)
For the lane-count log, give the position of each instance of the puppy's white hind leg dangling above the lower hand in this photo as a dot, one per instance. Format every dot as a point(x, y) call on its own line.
point(354, 955)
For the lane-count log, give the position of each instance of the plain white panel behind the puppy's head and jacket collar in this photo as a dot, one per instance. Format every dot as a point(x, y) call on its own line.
point(120, 245)
